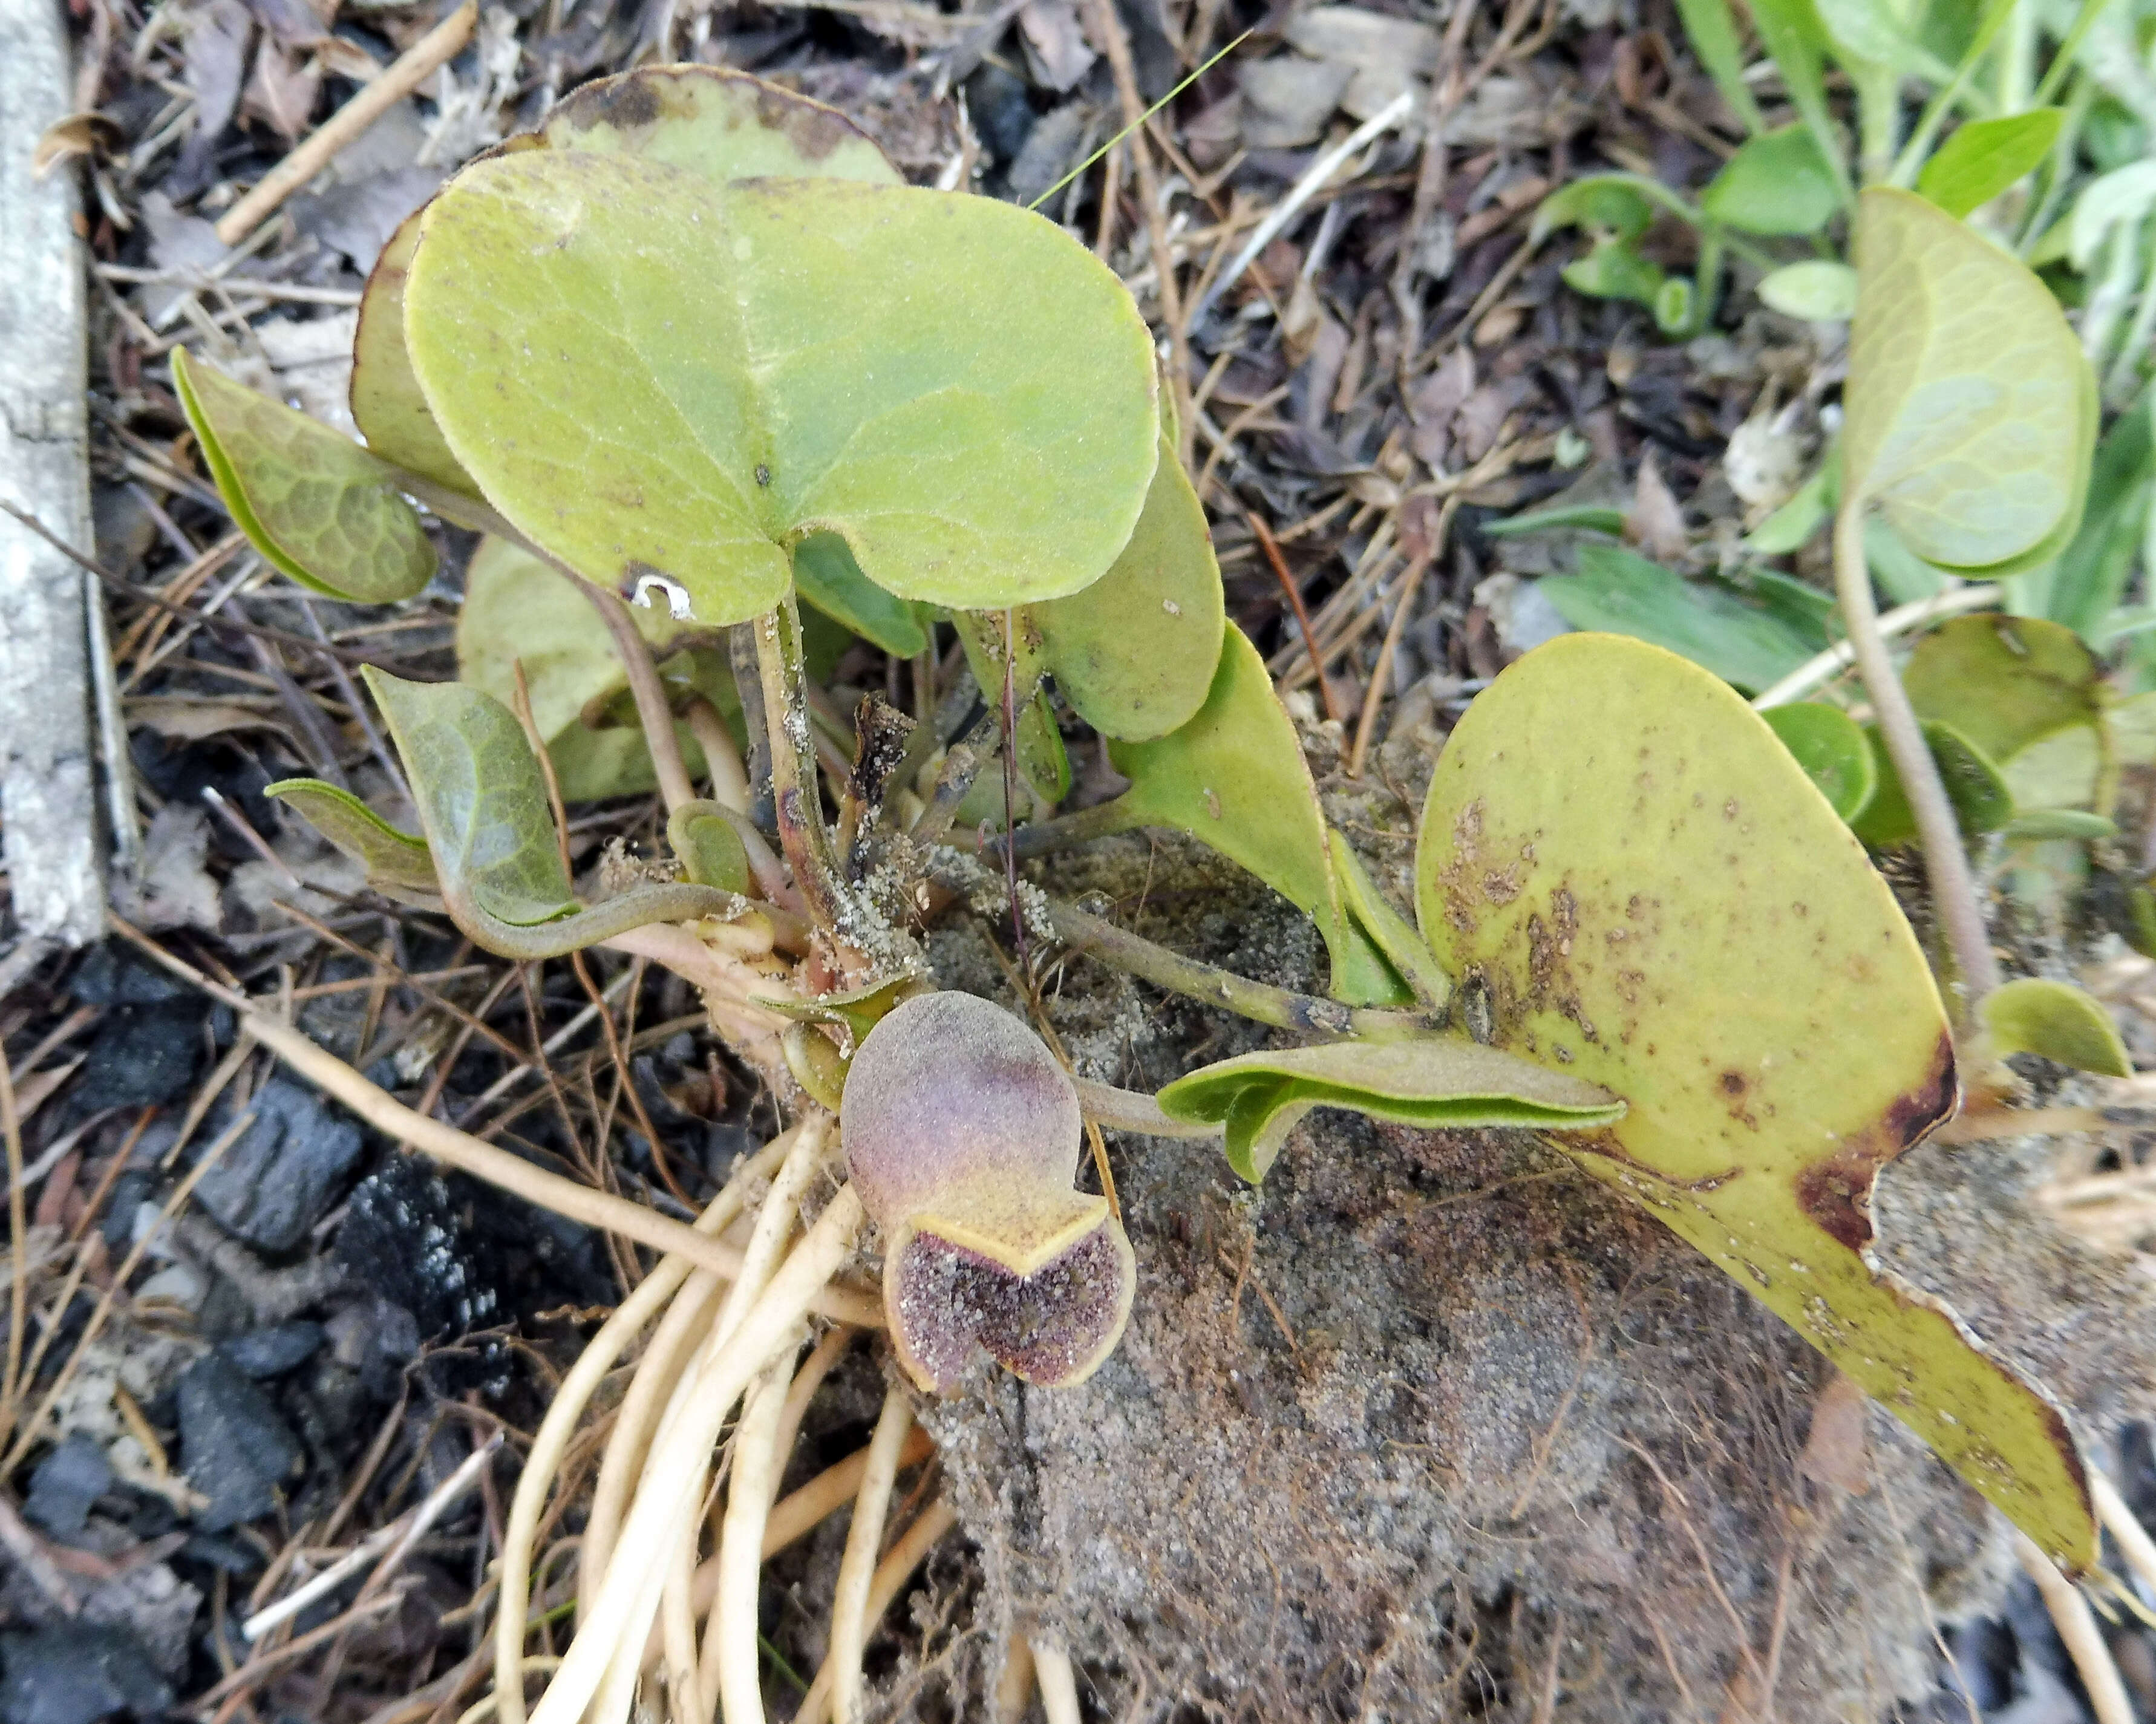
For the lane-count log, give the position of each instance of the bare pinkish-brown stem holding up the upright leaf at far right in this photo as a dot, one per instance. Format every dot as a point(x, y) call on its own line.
point(1946, 861)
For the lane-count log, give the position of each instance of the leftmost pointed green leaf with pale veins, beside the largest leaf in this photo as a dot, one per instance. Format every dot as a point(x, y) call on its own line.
point(312, 501)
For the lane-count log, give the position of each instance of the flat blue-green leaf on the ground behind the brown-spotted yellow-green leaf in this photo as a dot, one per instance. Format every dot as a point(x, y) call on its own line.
point(1627, 594)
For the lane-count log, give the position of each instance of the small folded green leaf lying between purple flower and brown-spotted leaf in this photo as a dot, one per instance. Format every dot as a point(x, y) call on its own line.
point(1443, 1083)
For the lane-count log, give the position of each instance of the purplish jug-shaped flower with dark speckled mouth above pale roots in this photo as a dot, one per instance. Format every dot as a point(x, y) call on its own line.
point(963, 1137)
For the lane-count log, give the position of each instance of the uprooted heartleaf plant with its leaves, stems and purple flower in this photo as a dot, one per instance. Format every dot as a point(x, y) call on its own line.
point(695, 344)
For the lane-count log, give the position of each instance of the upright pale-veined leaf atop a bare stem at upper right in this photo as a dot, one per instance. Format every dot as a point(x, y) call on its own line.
point(1967, 415)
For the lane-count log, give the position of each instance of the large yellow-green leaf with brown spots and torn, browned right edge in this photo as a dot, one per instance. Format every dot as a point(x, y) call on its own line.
point(1633, 882)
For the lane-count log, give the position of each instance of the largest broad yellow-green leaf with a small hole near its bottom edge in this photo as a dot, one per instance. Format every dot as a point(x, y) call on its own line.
point(657, 374)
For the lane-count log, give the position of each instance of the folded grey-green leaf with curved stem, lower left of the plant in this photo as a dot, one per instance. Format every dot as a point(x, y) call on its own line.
point(482, 801)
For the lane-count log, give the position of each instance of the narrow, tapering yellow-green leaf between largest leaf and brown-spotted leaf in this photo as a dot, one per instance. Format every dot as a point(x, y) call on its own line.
point(1234, 779)
